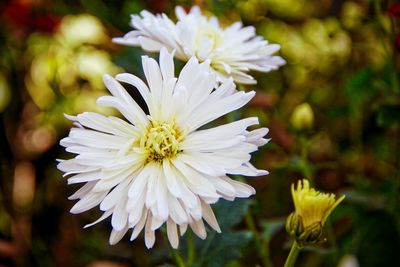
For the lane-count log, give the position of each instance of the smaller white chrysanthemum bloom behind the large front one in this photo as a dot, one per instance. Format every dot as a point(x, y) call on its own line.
point(233, 51)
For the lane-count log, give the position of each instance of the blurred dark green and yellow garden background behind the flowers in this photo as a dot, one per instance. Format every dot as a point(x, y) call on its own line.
point(333, 113)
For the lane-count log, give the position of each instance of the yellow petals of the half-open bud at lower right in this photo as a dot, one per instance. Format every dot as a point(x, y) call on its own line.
point(313, 206)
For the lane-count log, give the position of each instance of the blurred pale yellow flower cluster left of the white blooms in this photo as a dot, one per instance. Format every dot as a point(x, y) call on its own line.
point(67, 68)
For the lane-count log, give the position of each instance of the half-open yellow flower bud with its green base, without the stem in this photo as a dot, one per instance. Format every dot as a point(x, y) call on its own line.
point(312, 208)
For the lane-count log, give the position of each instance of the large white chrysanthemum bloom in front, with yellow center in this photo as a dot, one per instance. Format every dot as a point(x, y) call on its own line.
point(159, 167)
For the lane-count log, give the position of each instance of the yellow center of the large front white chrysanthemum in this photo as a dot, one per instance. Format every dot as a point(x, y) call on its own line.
point(161, 141)
